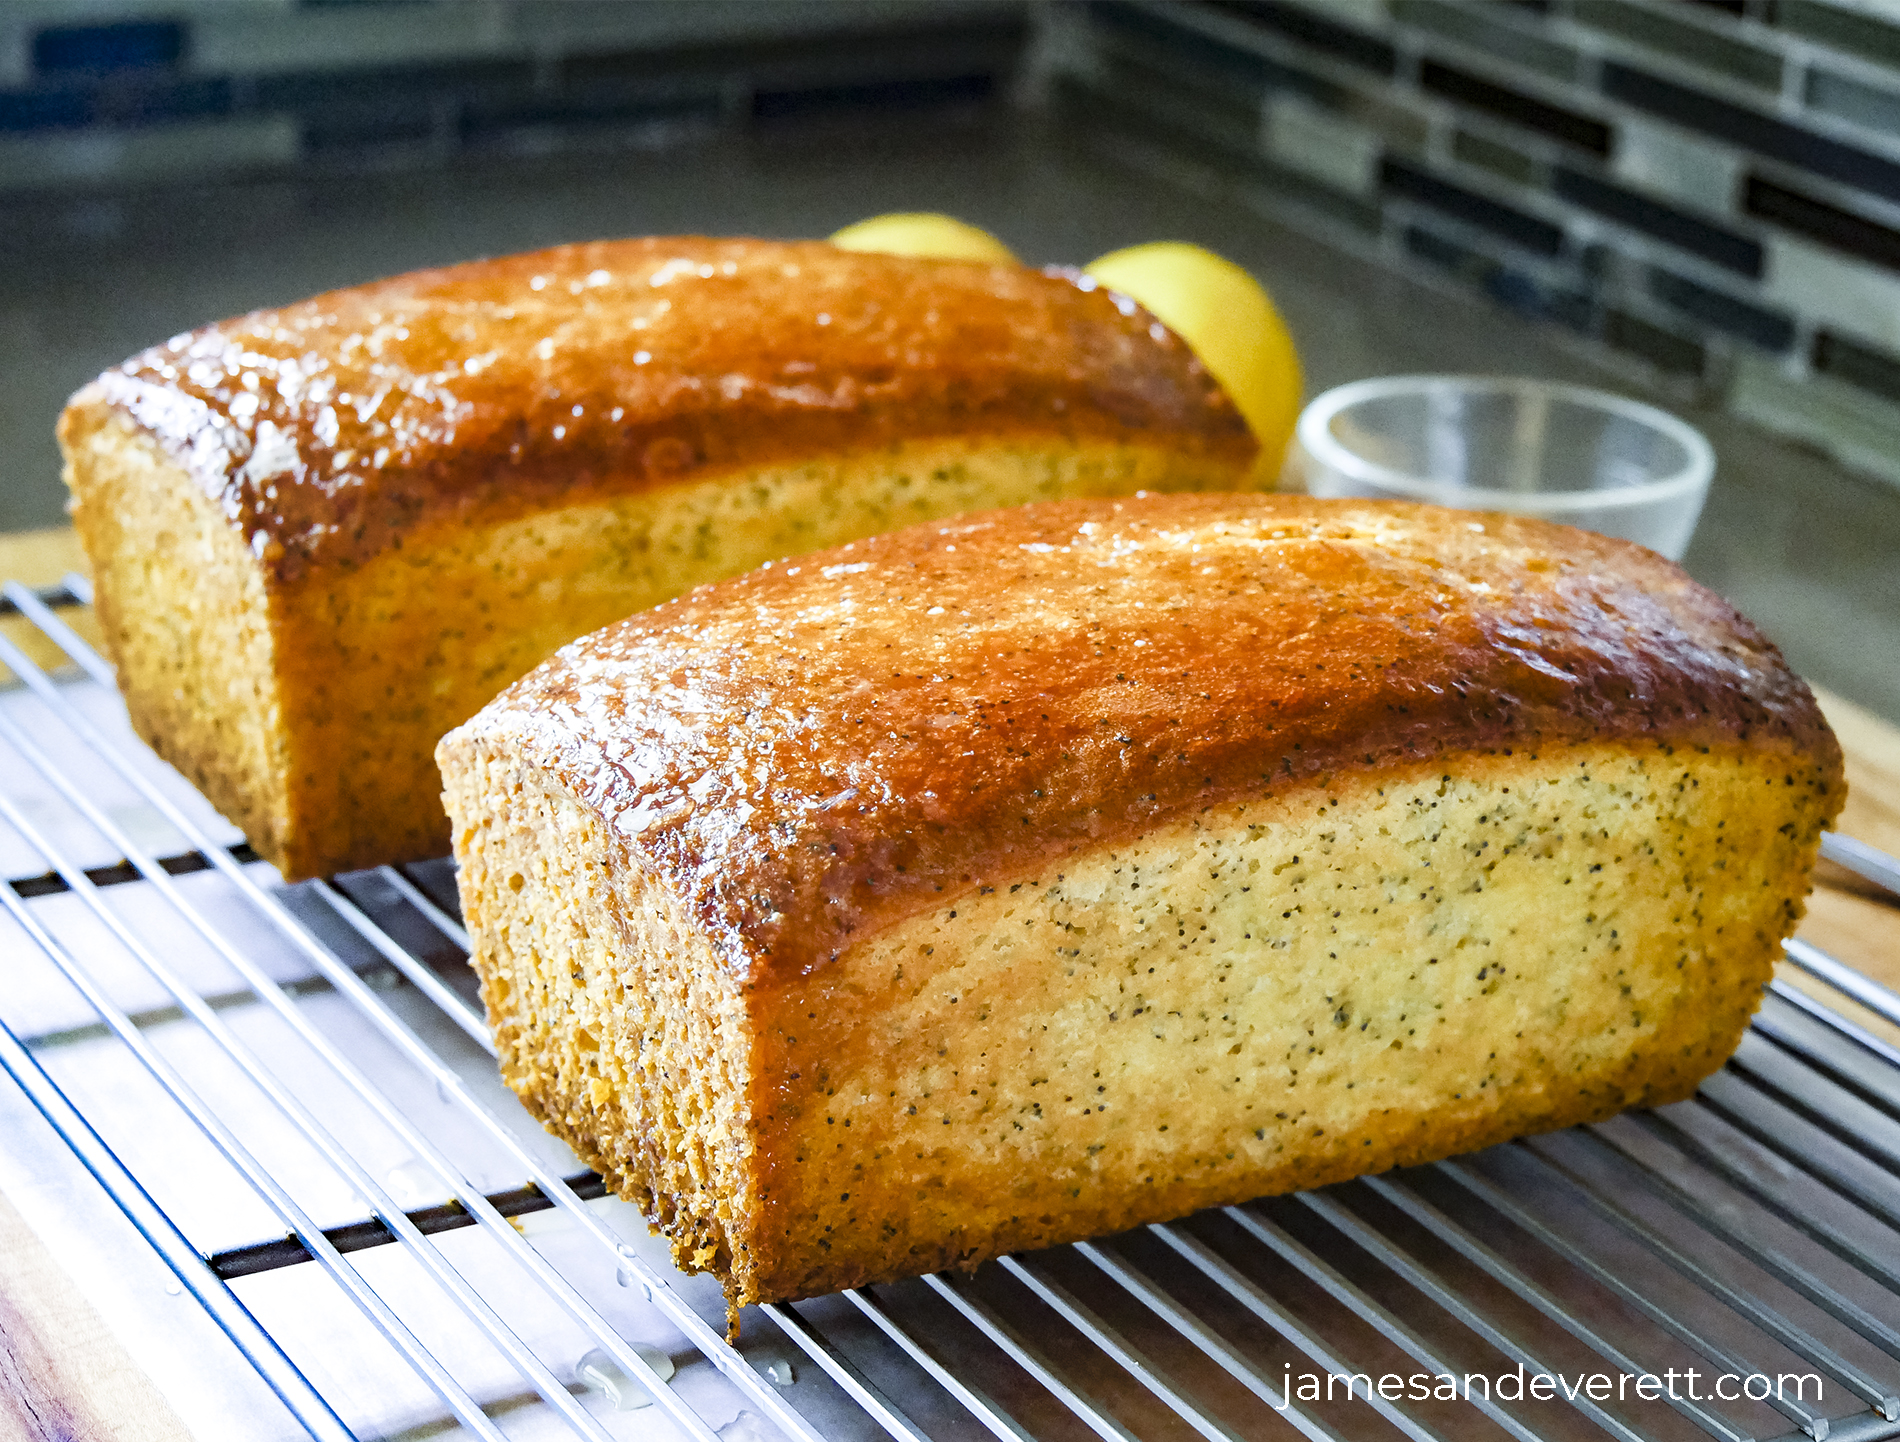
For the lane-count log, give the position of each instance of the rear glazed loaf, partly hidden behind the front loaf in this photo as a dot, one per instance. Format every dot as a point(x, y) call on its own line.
point(326, 535)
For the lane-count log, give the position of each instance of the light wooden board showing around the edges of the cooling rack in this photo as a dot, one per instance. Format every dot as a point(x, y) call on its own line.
point(50, 1337)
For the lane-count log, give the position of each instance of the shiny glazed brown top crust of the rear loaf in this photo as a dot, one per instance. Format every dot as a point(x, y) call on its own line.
point(332, 428)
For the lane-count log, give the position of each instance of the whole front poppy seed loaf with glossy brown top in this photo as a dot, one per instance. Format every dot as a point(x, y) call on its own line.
point(1048, 873)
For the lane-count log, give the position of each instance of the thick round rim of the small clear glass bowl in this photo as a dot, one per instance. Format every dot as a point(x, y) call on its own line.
point(1316, 438)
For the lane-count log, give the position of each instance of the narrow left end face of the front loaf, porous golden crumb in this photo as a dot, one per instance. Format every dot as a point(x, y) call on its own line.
point(611, 1021)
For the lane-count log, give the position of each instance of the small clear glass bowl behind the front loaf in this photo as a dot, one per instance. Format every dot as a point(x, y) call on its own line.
point(1504, 444)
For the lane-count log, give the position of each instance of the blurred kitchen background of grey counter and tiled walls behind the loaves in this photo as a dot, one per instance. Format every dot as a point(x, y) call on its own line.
point(1690, 202)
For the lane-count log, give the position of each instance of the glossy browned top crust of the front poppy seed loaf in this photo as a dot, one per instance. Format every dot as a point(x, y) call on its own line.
point(812, 751)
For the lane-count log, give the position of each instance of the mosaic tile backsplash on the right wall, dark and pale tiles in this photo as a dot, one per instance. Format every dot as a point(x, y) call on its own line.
point(1705, 191)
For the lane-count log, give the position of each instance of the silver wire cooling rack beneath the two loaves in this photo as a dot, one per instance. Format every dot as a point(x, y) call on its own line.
point(292, 1095)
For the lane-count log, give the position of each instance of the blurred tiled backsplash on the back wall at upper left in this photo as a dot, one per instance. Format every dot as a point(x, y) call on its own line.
point(140, 92)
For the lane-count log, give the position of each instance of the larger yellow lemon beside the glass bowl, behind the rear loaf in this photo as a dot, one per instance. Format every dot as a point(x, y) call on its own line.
point(1230, 322)
